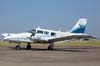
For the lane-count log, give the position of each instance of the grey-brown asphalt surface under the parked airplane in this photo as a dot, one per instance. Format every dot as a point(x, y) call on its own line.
point(60, 56)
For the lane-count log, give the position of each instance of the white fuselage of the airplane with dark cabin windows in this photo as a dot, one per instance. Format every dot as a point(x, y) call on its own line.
point(40, 35)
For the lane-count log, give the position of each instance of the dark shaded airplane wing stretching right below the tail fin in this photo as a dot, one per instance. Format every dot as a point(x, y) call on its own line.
point(85, 37)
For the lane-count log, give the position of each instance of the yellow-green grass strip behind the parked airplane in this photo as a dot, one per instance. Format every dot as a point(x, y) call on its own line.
point(69, 43)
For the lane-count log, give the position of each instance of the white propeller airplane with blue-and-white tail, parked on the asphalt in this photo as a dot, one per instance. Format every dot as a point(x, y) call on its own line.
point(49, 36)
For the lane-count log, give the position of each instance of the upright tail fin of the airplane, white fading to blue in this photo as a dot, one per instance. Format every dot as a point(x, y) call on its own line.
point(79, 26)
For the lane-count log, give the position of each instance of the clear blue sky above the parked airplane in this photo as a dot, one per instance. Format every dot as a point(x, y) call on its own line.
point(23, 15)
